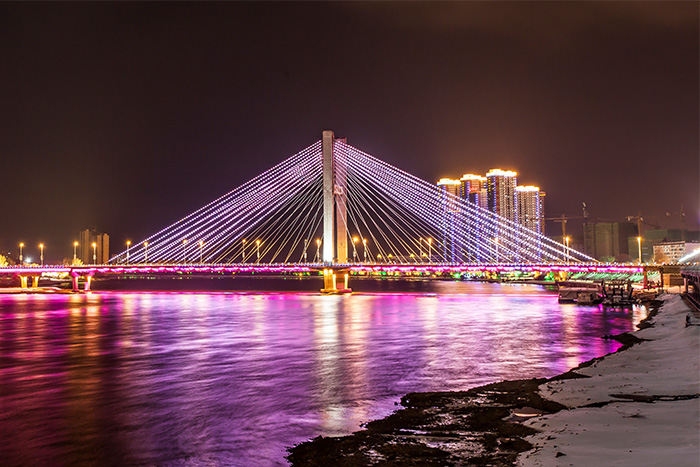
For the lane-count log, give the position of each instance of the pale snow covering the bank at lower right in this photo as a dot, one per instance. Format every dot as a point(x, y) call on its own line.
point(620, 433)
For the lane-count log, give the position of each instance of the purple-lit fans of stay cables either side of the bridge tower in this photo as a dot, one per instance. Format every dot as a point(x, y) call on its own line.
point(392, 217)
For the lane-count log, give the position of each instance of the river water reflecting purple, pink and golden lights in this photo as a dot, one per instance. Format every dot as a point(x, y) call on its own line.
point(233, 378)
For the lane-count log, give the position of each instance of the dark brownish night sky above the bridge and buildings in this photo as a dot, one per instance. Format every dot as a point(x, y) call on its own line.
point(128, 116)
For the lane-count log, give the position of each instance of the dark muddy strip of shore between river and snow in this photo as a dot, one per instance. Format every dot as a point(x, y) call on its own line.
point(479, 426)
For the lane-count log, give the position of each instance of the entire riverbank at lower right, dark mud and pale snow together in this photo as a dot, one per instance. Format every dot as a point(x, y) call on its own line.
point(578, 414)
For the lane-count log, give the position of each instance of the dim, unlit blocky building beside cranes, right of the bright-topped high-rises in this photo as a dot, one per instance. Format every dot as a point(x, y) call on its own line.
point(608, 241)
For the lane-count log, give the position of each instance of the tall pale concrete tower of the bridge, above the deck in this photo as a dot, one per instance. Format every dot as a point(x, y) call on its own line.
point(335, 236)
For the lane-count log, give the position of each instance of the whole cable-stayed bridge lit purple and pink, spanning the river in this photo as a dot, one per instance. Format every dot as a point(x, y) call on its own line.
point(334, 208)
